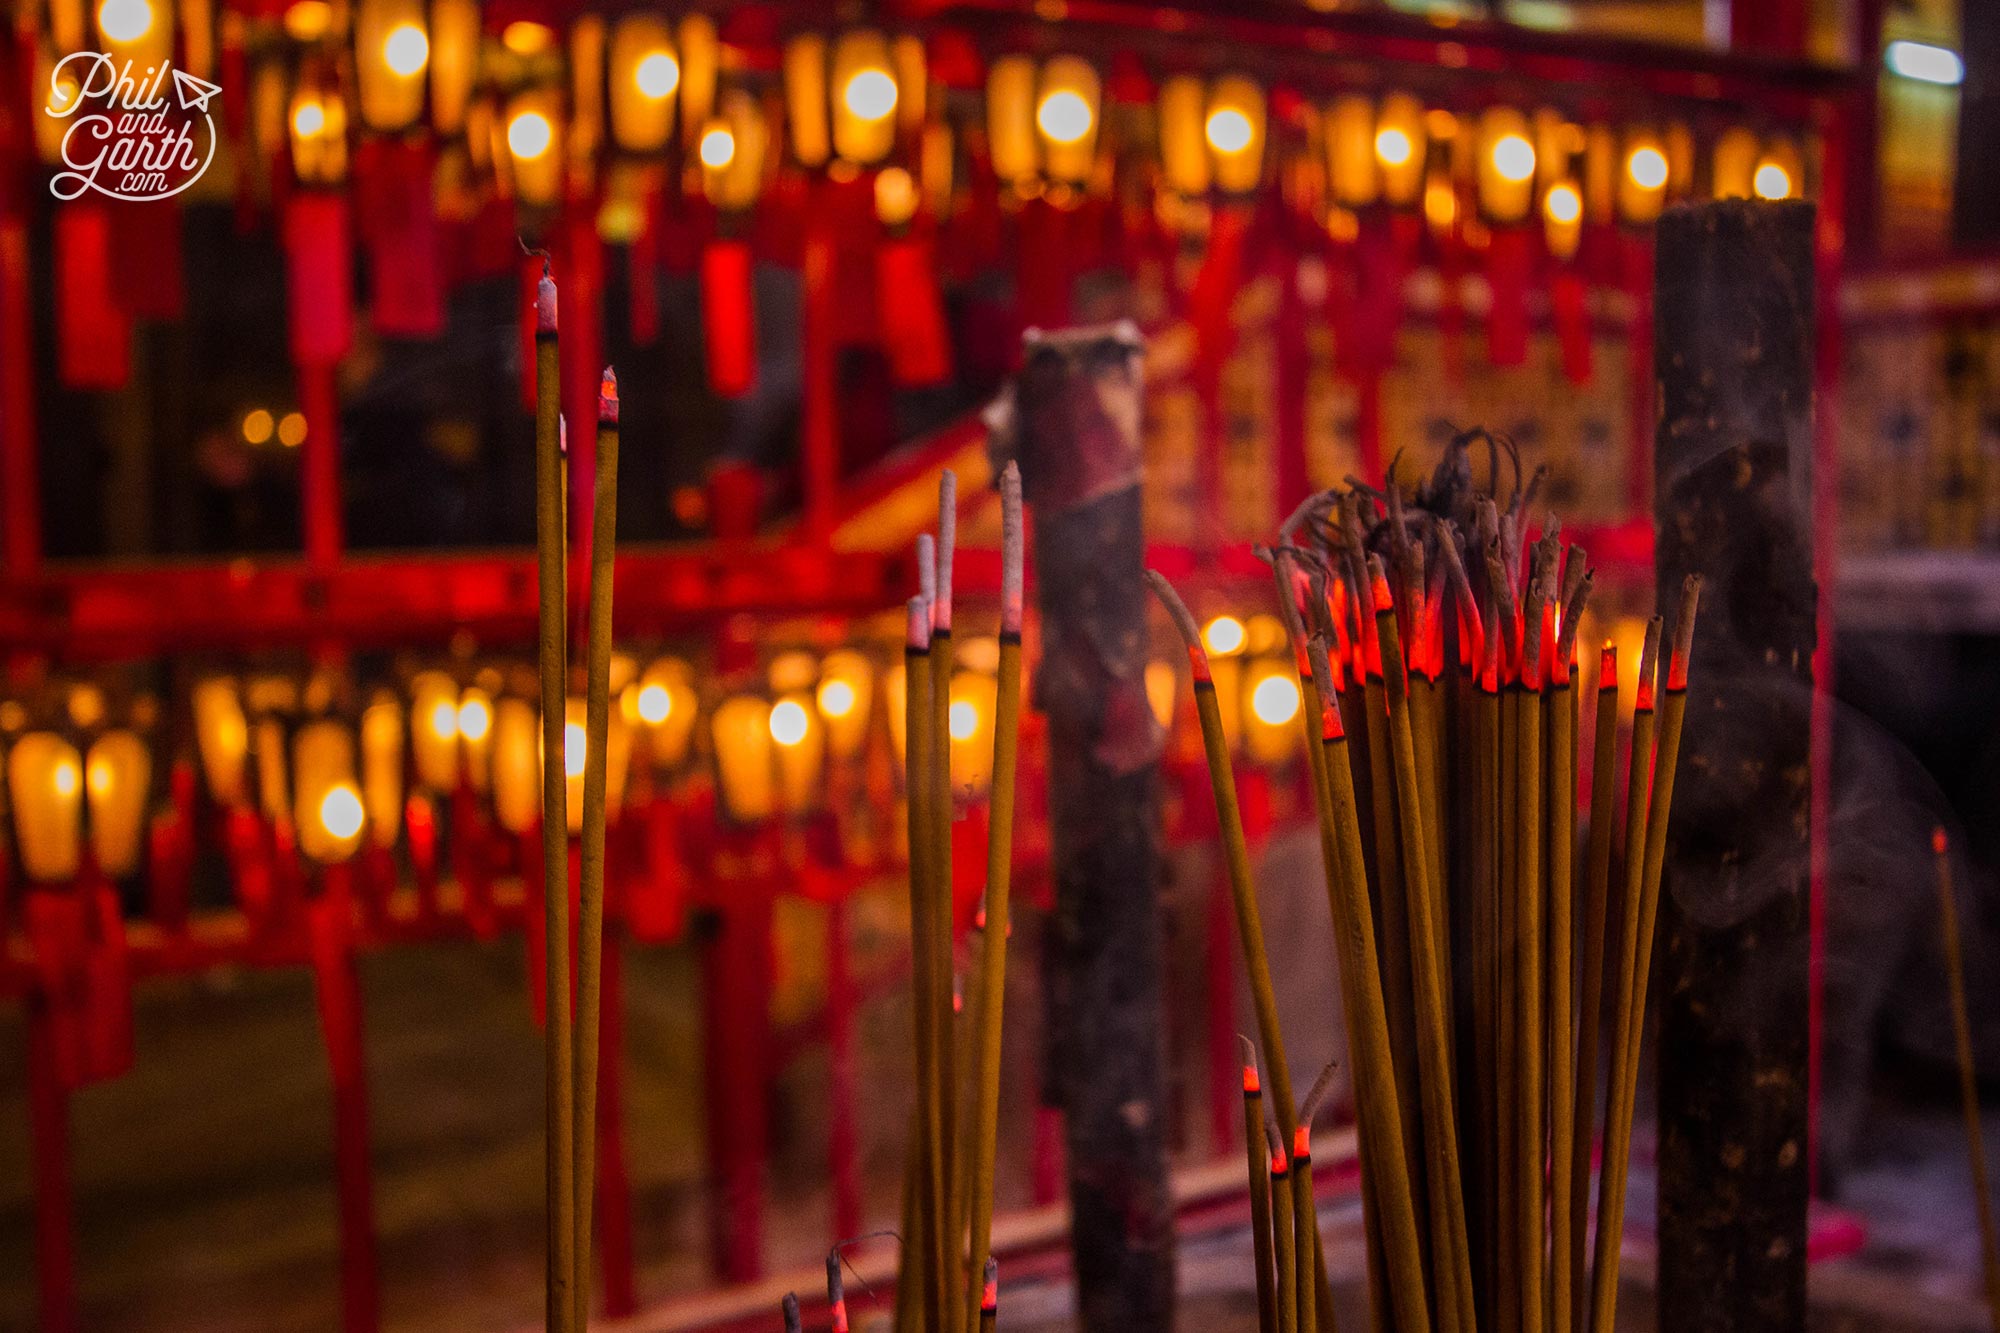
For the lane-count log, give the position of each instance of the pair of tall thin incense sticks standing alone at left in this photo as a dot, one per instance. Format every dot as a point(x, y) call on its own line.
point(573, 1034)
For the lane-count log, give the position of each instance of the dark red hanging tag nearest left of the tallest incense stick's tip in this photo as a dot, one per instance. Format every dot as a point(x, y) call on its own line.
point(399, 227)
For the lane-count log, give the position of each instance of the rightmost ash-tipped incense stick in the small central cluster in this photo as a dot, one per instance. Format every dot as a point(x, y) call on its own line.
point(999, 868)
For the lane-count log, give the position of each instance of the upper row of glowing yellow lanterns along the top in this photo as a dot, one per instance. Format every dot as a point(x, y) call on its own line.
point(537, 109)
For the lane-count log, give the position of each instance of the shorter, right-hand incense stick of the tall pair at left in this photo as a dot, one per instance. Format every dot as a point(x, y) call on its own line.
point(591, 876)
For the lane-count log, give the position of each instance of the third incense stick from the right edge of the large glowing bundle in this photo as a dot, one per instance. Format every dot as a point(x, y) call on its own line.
point(1595, 888)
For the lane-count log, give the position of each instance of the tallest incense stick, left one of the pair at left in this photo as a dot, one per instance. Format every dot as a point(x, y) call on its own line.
point(551, 561)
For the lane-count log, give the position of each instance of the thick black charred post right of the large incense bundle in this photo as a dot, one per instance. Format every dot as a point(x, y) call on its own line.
point(1735, 333)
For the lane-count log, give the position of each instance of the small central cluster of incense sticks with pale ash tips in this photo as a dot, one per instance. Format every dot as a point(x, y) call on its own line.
point(949, 1188)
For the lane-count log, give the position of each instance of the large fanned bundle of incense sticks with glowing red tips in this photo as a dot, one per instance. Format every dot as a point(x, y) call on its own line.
point(1481, 980)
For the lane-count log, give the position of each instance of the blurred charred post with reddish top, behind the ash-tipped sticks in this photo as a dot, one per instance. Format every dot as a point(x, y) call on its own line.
point(1077, 437)
